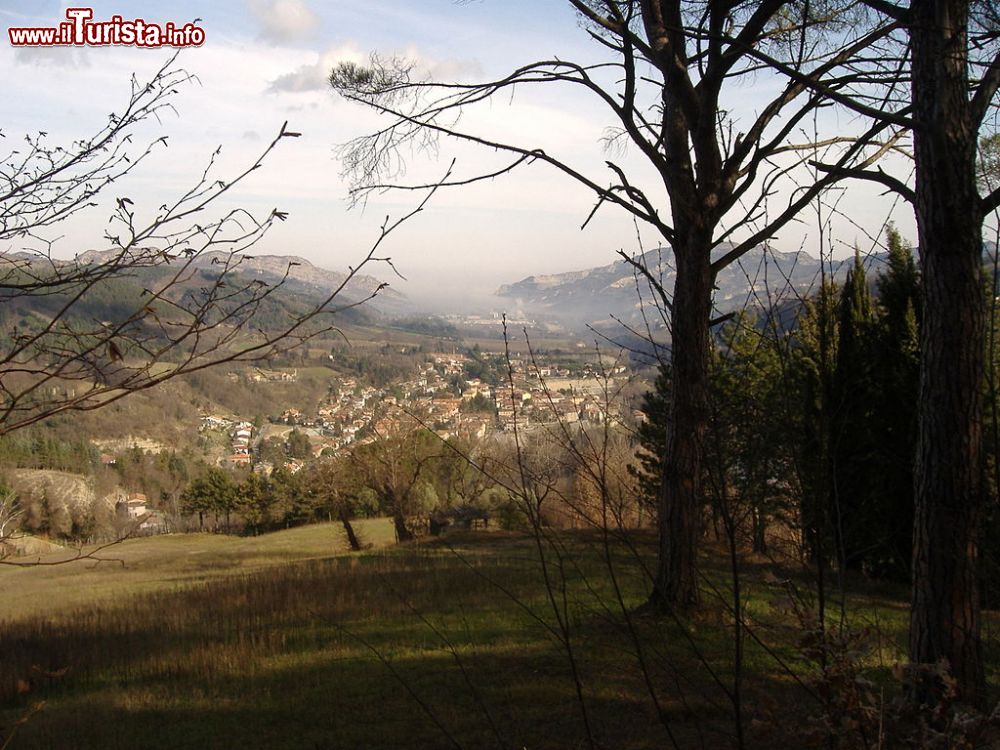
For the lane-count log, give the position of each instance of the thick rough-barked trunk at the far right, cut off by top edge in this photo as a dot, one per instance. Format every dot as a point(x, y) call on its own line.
point(945, 622)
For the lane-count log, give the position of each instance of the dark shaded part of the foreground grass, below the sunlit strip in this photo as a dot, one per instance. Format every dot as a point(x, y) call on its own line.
point(418, 648)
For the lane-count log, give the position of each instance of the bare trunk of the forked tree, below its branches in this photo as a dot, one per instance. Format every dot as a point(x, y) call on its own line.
point(680, 503)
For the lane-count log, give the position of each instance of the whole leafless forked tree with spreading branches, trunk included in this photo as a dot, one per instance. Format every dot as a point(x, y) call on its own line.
point(669, 83)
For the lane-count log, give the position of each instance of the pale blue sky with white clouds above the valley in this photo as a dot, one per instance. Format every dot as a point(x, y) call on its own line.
point(264, 62)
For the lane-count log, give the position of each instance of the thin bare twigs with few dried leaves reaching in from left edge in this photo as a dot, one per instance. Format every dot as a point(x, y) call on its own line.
point(167, 295)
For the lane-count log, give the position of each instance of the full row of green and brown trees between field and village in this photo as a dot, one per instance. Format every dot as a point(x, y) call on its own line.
point(422, 481)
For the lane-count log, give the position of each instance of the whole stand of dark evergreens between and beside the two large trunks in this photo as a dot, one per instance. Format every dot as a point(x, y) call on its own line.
point(812, 431)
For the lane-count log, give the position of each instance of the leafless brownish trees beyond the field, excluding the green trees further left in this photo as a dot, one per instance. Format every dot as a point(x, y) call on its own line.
point(557, 479)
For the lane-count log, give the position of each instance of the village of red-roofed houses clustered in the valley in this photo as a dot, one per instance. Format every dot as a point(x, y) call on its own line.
point(526, 393)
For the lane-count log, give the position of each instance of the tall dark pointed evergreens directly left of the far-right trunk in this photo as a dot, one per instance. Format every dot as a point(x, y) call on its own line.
point(856, 378)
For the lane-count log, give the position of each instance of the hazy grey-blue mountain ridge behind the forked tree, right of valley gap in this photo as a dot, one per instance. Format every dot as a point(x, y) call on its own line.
point(595, 296)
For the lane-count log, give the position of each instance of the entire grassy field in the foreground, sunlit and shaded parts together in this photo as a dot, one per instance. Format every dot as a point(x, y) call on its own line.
point(285, 641)
